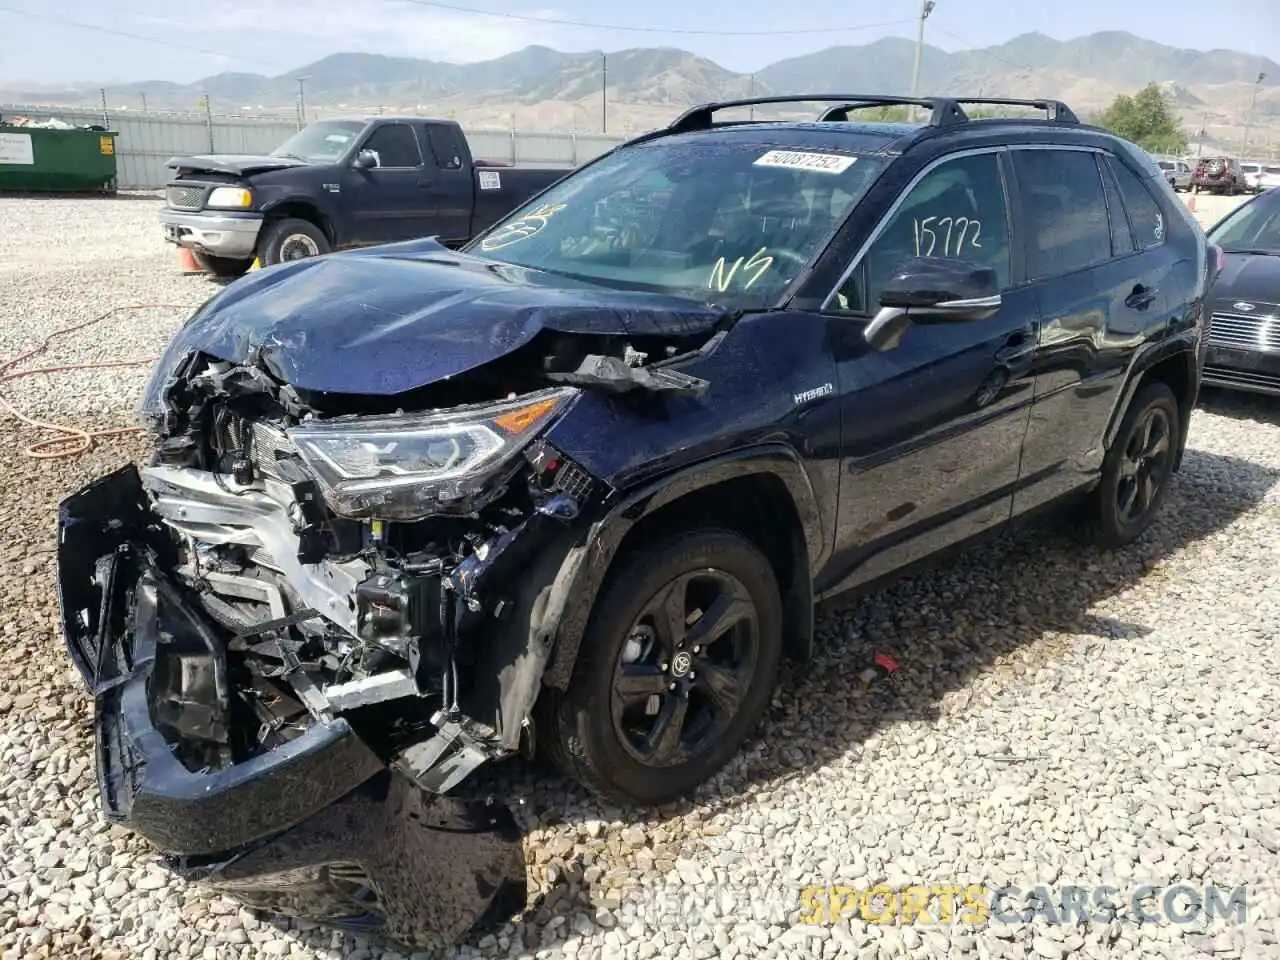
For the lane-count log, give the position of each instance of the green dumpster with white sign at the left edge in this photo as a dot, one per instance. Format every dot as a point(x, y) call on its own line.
point(36, 159)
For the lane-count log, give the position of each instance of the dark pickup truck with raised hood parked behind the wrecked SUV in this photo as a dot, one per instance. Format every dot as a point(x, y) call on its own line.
point(341, 184)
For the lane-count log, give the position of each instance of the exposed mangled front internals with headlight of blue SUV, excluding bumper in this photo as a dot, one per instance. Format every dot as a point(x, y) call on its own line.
point(348, 561)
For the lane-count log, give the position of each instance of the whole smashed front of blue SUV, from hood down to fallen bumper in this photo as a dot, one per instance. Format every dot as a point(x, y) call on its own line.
point(336, 589)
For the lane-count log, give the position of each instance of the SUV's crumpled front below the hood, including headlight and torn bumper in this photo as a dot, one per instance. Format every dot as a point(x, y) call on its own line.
point(303, 634)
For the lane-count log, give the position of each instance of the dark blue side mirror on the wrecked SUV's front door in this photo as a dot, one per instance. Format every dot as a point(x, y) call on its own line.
point(932, 291)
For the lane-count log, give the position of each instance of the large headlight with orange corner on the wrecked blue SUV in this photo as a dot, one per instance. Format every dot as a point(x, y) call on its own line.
point(409, 468)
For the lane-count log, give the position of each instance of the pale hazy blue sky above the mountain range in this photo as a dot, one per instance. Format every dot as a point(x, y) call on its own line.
point(40, 40)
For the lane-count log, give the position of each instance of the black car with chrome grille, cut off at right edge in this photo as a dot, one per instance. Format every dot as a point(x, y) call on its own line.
point(1245, 326)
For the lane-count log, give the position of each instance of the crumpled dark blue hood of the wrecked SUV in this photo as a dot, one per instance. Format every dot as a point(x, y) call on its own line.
point(401, 317)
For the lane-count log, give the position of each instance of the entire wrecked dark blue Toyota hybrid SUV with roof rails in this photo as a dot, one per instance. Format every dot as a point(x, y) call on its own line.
point(582, 483)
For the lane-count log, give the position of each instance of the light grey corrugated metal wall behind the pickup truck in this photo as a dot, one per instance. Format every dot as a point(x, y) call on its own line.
point(147, 141)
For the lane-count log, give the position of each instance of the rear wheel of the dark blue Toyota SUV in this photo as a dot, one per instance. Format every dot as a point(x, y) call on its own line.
point(1135, 459)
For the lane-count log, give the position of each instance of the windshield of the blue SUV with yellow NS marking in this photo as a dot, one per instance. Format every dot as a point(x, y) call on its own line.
point(730, 222)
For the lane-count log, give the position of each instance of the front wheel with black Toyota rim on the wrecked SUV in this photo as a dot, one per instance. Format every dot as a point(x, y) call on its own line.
point(597, 734)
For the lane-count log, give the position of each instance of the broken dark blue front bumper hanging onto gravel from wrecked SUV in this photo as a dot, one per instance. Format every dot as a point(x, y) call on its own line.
point(319, 828)
